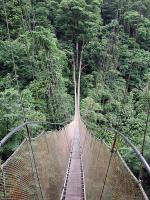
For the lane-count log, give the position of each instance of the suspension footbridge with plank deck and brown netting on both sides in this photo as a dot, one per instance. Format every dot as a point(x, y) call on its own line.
point(69, 164)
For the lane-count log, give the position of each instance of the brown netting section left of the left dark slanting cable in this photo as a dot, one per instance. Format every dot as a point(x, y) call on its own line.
point(18, 175)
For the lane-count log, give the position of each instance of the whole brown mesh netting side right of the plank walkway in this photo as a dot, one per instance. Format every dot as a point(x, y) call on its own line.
point(120, 182)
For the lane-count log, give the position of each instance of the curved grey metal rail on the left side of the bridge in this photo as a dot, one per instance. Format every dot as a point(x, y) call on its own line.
point(18, 128)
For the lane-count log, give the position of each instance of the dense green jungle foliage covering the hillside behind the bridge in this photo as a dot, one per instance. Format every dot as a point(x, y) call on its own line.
point(109, 41)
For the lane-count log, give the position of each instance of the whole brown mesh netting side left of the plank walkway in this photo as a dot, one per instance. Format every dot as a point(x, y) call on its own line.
point(37, 168)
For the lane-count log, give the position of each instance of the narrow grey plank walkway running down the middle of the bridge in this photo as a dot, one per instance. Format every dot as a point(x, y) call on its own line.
point(74, 186)
